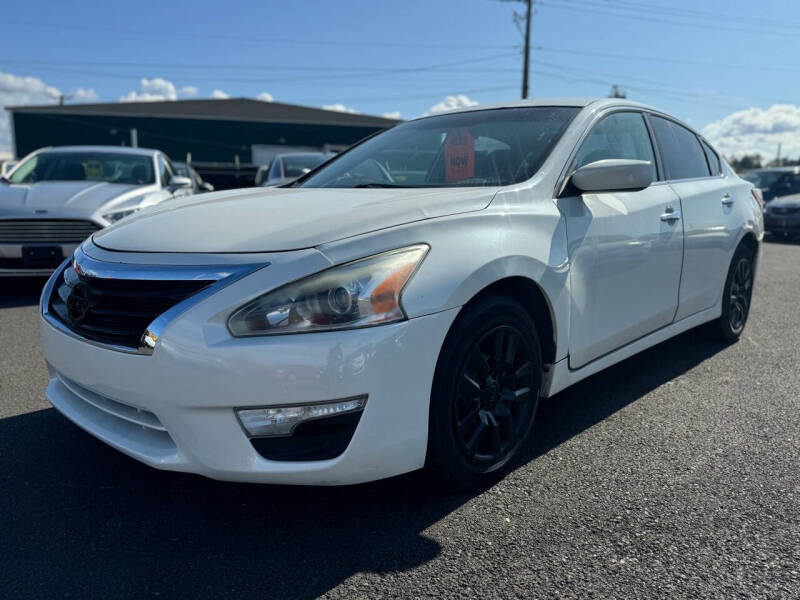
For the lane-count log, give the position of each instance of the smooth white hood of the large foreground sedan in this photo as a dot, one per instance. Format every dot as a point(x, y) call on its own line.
point(271, 220)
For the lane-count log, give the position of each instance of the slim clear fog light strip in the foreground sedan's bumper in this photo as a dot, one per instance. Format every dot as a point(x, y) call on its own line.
point(281, 420)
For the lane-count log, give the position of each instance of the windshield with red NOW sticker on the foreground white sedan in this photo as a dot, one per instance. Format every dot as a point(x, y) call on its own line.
point(480, 148)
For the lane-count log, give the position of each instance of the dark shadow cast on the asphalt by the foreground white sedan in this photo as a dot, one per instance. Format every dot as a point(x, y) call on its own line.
point(82, 519)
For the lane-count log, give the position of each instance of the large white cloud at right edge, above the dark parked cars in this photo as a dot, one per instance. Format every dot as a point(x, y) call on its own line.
point(757, 130)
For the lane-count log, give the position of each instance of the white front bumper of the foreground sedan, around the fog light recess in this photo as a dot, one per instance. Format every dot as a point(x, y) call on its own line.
point(174, 409)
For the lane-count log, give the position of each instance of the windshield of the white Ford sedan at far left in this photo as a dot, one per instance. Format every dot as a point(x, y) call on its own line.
point(85, 166)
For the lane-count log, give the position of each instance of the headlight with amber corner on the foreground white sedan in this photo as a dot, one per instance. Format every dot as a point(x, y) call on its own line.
point(357, 294)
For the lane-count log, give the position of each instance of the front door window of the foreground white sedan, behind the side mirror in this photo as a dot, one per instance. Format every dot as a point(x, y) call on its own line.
point(619, 135)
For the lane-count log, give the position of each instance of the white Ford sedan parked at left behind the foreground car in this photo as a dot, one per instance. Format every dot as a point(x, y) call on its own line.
point(56, 197)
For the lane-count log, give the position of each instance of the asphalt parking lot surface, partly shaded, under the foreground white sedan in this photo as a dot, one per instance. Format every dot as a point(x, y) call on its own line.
point(673, 474)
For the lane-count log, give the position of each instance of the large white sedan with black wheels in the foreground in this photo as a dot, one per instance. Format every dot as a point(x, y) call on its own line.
point(351, 327)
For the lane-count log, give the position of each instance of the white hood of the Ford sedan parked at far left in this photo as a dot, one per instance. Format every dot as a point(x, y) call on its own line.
point(53, 196)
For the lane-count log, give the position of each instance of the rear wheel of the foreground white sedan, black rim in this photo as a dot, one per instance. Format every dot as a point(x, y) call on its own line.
point(737, 296)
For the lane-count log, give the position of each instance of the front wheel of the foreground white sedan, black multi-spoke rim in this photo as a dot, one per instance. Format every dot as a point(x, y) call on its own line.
point(485, 393)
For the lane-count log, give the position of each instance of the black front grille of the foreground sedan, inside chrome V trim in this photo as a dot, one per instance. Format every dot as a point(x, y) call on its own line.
point(113, 310)
